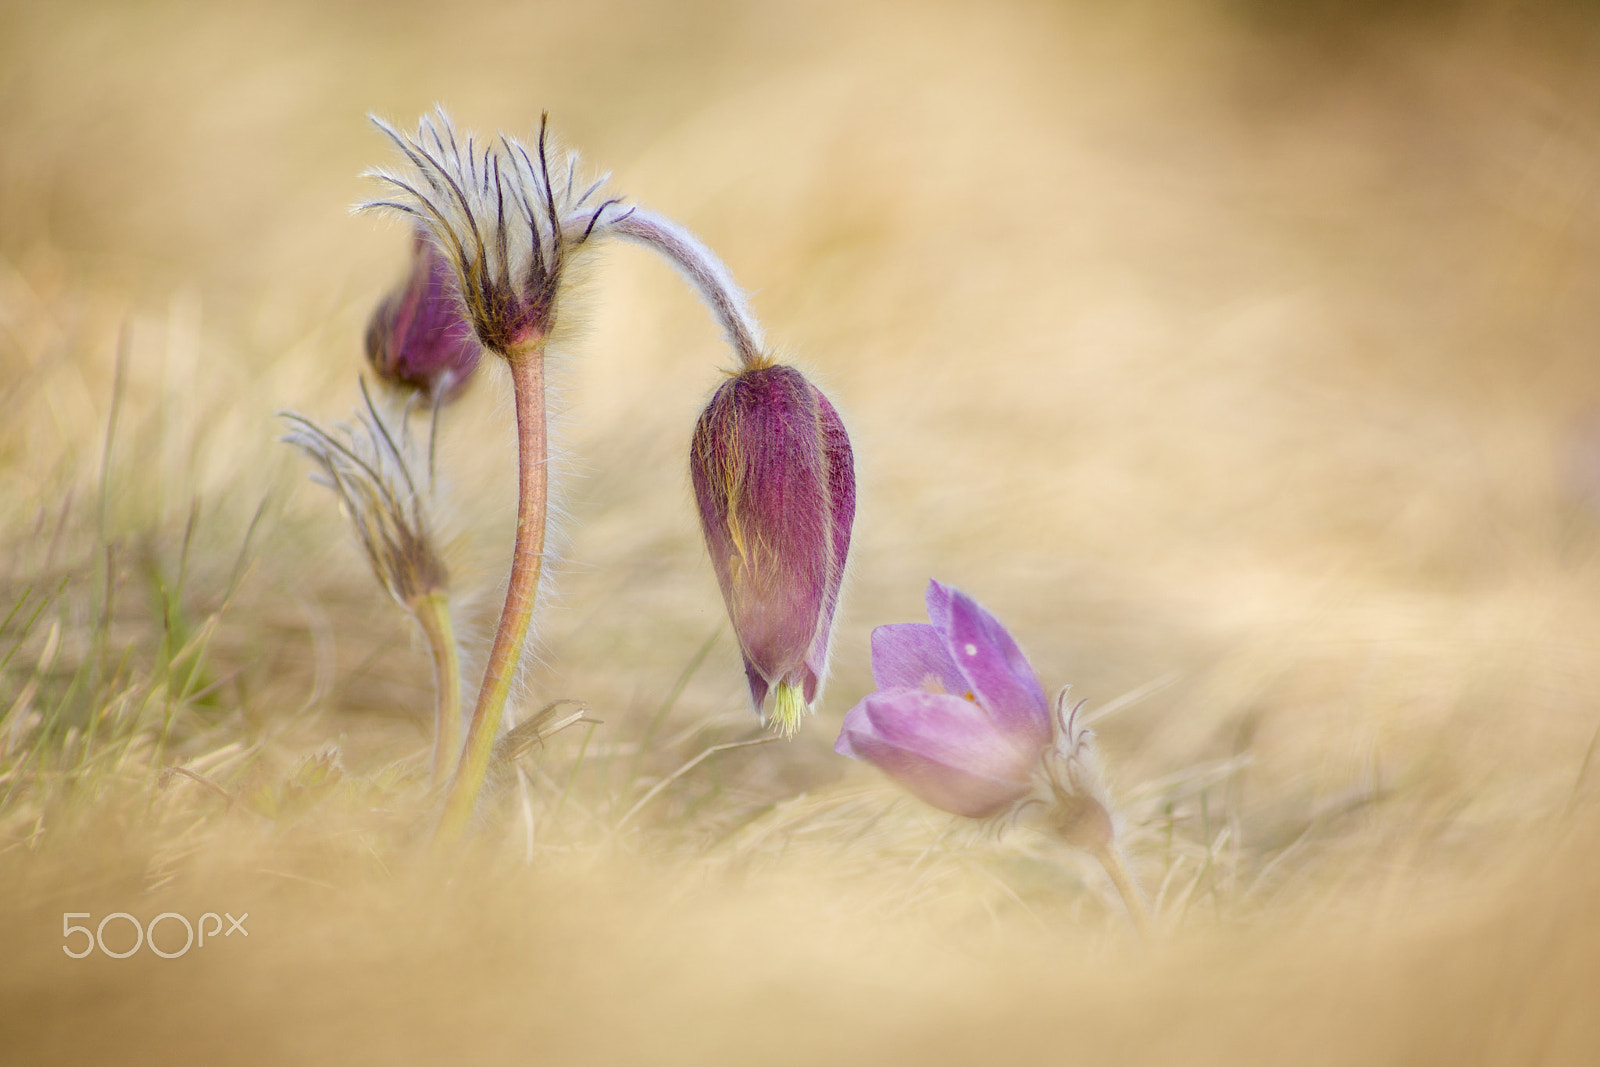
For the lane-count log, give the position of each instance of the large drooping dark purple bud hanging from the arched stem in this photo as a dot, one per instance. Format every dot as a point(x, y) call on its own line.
point(777, 490)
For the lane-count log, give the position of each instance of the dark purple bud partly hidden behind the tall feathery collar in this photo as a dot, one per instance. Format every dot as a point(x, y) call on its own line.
point(418, 338)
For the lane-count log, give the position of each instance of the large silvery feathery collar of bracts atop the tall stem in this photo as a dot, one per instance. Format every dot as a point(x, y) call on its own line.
point(502, 220)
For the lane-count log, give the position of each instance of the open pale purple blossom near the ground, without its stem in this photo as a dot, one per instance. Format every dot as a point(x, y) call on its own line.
point(959, 717)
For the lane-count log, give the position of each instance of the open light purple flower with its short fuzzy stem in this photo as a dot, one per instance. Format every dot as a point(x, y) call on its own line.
point(961, 721)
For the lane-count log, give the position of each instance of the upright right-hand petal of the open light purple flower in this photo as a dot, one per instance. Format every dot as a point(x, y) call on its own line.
point(998, 671)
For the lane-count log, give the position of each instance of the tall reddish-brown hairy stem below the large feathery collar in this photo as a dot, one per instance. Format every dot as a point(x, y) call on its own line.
point(527, 375)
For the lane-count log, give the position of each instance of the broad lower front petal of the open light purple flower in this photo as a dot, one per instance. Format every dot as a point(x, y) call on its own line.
point(906, 735)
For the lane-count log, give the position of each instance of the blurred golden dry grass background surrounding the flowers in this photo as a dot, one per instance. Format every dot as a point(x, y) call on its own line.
point(1239, 356)
